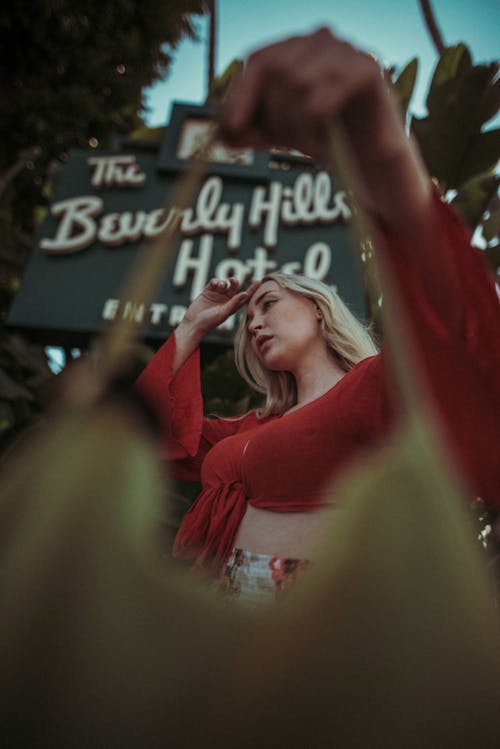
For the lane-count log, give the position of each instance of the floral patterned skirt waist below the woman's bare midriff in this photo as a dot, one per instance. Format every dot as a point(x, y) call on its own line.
point(252, 579)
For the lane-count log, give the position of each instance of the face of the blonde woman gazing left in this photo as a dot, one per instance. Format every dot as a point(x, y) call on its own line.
point(283, 326)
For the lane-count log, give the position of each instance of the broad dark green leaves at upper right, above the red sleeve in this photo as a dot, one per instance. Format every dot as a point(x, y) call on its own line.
point(460, 151)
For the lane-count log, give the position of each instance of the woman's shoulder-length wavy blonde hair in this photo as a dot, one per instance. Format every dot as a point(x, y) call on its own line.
point(347, 338)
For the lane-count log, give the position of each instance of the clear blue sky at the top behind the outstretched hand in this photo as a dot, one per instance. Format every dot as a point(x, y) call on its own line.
point(392, 29)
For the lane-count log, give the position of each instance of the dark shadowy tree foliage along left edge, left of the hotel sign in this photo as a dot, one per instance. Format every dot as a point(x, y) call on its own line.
point(72, 76)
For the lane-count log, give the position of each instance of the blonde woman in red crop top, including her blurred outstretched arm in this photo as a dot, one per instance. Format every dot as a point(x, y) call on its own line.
point(328, 395)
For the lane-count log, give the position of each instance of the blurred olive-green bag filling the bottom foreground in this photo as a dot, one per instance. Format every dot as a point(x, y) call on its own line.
point(392, 641)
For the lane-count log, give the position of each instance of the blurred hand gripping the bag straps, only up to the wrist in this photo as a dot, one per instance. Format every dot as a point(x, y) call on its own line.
point(290, 90)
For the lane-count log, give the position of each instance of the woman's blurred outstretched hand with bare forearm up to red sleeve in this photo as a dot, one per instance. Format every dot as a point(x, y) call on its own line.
point(291, 92)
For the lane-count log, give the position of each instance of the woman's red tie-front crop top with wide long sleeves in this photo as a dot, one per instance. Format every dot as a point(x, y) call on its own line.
point(287, 463)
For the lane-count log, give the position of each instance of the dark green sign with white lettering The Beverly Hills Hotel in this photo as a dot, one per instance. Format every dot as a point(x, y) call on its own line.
point(282, 214)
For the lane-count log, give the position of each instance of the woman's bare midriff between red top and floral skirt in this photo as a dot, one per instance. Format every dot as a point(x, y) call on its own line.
point(295, 535)
